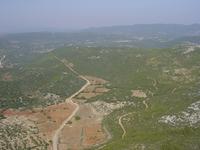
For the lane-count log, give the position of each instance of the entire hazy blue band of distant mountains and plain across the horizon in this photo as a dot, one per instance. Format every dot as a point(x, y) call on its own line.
point(140, 35)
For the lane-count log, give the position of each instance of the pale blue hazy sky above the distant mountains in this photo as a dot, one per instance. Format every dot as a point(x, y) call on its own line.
point(38, 15)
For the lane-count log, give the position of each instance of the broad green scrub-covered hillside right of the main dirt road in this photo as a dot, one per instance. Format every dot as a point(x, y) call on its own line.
point(170, 79)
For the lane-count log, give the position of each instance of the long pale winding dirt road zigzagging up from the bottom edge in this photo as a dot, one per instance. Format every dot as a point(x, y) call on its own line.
point(69, 100)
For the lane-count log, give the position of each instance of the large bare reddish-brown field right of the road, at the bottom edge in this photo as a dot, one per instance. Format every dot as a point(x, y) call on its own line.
point(84, 133)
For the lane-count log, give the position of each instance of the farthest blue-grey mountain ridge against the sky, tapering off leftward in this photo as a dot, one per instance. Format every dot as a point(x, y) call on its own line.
point(175, 30)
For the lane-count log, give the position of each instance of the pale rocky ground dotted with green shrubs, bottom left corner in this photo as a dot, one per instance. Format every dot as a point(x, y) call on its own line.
point(17, 133)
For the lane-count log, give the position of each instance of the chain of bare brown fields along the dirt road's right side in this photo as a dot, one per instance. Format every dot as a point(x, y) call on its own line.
point(85, 130)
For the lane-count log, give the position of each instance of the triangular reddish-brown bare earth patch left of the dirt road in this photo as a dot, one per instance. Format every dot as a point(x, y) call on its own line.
point(46, 119)
